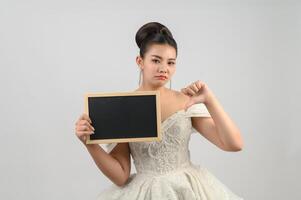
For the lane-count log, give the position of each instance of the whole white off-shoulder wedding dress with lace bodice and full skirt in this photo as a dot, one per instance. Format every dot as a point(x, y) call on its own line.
point(164, 169)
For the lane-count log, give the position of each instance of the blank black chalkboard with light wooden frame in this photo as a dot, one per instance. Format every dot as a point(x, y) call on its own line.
point(124, 116)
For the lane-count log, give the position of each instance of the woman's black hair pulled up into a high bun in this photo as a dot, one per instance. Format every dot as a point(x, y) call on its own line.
point(154, 33)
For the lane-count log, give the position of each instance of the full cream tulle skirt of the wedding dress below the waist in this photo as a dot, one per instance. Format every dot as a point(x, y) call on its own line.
point(192, 183)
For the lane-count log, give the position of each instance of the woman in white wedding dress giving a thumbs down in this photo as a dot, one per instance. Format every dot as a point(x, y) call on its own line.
point(164, 169)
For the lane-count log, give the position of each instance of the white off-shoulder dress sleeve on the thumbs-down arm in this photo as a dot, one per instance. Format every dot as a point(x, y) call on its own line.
point(197, 110)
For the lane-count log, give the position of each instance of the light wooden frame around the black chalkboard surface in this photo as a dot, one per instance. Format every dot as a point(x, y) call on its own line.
point(129, 139)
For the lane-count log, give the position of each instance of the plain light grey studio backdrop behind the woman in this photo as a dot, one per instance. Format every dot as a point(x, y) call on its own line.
point(52, 52)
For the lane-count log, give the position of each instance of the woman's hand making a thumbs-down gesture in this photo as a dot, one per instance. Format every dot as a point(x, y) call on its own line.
point(198, 92)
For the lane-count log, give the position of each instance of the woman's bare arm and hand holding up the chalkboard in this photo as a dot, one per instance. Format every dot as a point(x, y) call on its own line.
point(116, 164)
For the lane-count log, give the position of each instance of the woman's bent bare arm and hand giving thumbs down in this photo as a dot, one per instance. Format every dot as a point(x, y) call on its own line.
point(219, 129)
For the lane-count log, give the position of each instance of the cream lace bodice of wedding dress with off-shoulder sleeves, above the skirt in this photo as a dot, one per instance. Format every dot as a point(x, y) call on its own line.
point(172, 151)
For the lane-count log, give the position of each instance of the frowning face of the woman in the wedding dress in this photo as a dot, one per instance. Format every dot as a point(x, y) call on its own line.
point(159, 60)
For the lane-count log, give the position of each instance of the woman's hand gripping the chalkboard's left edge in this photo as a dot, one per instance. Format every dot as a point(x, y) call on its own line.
point(83, 128)
